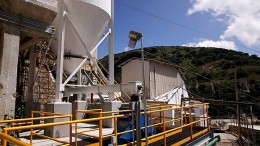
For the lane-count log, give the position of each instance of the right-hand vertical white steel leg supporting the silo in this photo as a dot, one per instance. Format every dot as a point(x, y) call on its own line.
point(111, 51)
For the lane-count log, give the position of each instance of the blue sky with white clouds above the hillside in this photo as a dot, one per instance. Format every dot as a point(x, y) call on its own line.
point(218, 19)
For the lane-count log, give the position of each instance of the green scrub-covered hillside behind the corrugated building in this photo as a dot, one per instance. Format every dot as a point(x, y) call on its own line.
point(209, 72)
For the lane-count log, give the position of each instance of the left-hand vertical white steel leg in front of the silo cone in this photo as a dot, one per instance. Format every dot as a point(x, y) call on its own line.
point(60, 53)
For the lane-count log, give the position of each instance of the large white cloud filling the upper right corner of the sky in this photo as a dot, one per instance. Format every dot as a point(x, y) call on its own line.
point(242, 17)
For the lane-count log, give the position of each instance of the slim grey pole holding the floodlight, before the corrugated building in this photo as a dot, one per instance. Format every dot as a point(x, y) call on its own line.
point(144, 93)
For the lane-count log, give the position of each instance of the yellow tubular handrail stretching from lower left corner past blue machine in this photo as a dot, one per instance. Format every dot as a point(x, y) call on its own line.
point(160, 136)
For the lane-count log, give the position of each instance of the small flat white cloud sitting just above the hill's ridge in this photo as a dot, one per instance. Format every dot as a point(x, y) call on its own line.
point(217, 44)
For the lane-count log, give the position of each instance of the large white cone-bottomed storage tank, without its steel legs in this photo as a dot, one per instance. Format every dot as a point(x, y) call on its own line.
point(90, 18)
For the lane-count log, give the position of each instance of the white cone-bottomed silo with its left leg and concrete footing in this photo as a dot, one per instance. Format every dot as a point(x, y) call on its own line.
point(79, 25)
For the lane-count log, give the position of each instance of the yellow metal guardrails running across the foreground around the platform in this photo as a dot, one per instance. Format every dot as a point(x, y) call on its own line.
point(161, 115)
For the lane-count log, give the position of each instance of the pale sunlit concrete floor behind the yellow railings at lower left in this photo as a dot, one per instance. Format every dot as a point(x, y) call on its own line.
point(82, 140)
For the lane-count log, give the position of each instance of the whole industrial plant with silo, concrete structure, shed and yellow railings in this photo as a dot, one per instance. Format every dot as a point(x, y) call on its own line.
point(56, 91)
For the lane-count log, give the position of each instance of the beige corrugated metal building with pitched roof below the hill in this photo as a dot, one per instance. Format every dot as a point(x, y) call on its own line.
point(160, 77)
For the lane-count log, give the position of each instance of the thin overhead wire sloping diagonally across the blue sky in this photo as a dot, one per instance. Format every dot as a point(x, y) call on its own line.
point(179, 25)
